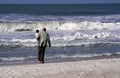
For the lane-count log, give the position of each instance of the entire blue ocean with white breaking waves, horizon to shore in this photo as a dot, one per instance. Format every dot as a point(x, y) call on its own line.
point(76, 30)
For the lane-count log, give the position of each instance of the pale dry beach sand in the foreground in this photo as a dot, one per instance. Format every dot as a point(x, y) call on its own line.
point(99, 68)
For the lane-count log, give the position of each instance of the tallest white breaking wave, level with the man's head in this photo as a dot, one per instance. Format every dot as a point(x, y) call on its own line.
point(57, 25)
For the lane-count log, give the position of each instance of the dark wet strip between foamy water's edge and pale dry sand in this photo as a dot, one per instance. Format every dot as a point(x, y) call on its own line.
point(56, 60)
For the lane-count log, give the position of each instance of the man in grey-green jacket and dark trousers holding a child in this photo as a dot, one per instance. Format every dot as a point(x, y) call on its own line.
point(42, 43)
